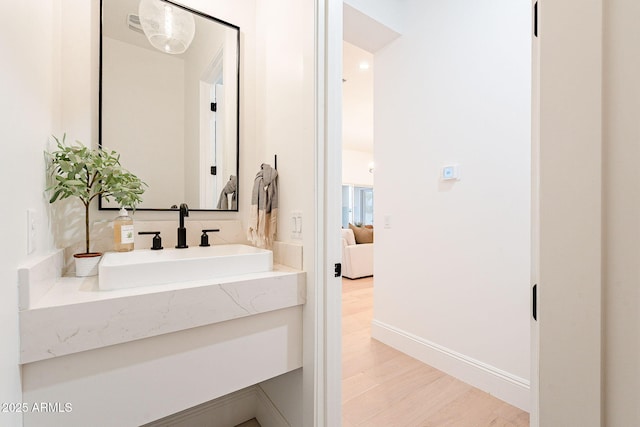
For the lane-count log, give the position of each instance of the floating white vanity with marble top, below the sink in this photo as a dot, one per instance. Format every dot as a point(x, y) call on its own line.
point(131, 356)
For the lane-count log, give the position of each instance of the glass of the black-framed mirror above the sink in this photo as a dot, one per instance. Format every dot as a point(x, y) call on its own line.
point(173, 117)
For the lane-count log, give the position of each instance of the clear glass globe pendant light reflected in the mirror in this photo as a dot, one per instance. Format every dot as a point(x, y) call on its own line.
point(167, 27)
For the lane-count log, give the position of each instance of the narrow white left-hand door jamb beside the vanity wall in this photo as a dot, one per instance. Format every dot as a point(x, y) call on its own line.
point(328, 292)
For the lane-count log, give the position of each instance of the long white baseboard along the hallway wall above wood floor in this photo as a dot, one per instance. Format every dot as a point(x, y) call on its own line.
point(503, 385)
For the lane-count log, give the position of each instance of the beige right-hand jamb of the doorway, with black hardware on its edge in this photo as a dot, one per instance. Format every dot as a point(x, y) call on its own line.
point(567, 122)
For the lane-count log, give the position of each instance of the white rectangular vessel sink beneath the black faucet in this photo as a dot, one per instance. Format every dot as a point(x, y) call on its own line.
point(120, 270)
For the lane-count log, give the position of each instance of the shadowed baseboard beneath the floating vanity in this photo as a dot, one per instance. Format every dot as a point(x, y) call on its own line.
point(228, 411)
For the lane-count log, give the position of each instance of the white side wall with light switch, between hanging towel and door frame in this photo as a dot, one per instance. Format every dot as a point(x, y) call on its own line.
point(285, 127)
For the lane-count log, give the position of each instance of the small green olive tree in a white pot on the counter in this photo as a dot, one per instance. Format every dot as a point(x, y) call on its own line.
point(86, 173)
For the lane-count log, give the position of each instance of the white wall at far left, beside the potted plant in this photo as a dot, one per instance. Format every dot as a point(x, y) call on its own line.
point(29, 113)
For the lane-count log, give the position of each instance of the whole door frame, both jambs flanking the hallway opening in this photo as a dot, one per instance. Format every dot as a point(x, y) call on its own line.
point(566, 206)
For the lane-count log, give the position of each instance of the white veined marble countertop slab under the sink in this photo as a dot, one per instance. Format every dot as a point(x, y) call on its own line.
point(73, 315)
